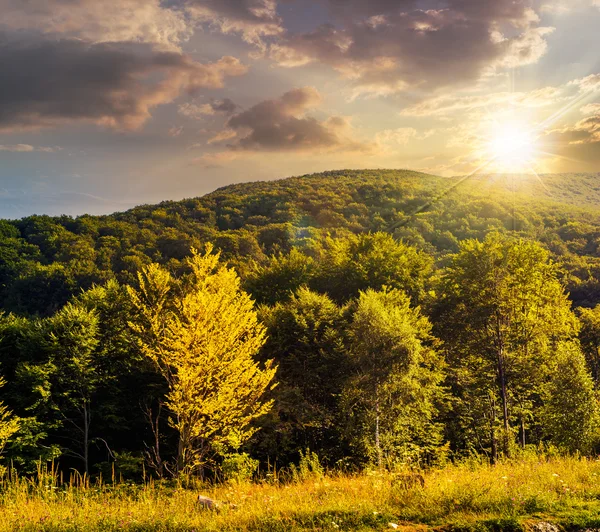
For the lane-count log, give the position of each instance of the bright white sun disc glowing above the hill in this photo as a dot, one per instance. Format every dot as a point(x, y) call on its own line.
point(512, 146)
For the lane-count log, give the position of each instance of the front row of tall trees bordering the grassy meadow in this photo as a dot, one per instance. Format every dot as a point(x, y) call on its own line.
point(363, 348)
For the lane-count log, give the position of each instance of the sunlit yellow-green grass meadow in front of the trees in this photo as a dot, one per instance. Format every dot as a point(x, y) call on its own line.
point(468, 496)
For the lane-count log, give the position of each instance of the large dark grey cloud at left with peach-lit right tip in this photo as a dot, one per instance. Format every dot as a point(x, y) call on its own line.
point(52, 82)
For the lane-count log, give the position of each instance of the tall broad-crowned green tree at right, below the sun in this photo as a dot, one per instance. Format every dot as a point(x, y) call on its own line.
point(502, 312)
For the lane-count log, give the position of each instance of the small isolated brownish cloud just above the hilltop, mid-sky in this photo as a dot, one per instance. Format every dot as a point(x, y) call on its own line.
point(283, 125)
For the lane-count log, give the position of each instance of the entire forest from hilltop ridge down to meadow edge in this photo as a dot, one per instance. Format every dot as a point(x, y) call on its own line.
point(348, 320)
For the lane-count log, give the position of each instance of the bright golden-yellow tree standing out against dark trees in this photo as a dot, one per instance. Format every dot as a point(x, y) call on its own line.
point(202, 332)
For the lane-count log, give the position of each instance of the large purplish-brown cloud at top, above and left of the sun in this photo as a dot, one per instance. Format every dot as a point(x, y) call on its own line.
point(387, 46)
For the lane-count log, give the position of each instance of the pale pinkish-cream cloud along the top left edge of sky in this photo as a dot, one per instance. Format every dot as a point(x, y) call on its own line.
point(99, 20)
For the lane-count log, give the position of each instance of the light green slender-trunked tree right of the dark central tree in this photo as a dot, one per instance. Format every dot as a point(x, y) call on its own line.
point(396, 389)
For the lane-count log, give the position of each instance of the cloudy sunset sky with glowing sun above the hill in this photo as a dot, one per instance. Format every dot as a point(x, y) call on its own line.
point(109, 104)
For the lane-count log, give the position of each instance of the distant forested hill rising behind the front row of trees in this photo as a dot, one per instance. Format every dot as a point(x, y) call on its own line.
point(44, 260)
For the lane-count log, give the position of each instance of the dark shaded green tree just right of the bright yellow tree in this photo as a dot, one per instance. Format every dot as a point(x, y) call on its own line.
point(307, 340)
